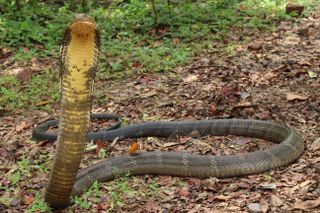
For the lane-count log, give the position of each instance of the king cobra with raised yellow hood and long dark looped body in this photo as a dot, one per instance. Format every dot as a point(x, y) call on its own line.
point(79, 57)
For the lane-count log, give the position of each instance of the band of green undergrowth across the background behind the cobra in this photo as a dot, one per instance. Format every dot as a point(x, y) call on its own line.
point(133, 41)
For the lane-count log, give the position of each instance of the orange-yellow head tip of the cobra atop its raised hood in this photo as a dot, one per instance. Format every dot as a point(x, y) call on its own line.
point(82, 24)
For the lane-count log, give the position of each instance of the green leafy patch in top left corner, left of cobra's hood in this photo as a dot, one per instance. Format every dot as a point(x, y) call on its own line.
point(38, 30)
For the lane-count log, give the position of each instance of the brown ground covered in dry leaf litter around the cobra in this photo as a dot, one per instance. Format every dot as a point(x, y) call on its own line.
point(275, 77)
